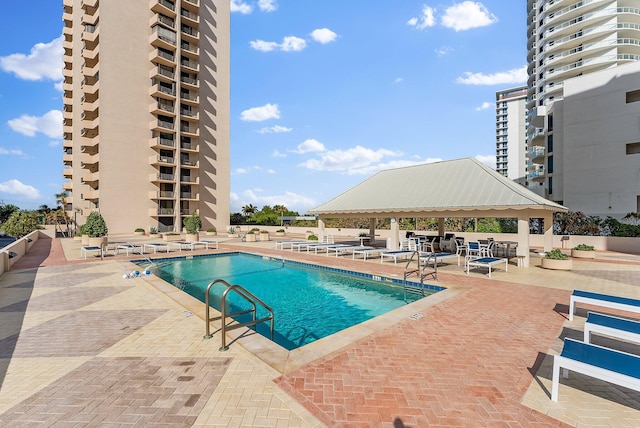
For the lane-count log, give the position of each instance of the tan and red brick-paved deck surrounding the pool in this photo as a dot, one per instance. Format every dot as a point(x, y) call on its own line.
point(80, 345)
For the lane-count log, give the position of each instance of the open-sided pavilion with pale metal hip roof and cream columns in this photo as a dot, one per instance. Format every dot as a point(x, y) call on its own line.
point(456, 188)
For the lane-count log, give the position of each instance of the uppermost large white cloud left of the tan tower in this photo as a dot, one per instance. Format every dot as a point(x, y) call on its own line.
point(43, 62)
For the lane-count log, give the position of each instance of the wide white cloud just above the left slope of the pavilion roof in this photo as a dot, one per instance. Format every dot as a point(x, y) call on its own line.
point(347, 160)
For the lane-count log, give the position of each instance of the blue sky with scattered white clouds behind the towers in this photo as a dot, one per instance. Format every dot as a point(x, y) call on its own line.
point(324, 93)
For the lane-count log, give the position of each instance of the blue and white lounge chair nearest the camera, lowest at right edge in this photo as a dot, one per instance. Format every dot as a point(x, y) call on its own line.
point(596, 361)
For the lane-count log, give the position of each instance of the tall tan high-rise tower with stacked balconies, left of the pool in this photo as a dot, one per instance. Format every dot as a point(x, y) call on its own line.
point(146, 111)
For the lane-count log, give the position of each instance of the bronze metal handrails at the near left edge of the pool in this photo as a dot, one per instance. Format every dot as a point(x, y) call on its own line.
point(246, 295)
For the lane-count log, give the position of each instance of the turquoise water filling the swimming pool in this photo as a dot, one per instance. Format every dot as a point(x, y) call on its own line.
point(309, 302)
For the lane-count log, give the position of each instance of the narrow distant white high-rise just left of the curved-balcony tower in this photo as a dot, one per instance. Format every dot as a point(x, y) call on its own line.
point(511, 144)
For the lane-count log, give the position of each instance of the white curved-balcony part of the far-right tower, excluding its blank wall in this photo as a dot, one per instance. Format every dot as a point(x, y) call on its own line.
point(566, 39)
